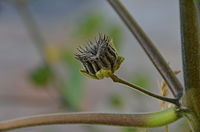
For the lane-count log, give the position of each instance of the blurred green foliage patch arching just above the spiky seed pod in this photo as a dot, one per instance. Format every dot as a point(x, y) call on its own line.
point(95, 23)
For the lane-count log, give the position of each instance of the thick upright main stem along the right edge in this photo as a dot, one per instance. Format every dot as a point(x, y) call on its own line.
point(190, 33)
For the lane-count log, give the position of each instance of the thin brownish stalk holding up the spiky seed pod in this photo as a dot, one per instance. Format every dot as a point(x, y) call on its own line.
point(170, 100)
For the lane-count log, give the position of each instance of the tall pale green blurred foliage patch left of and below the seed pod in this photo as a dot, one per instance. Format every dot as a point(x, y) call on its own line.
point(73, 86)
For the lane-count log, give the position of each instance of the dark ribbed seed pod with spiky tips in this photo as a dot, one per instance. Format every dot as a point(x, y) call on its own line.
point(99, 55)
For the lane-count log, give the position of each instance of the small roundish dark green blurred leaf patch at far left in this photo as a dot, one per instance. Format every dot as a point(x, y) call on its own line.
point(41, 76)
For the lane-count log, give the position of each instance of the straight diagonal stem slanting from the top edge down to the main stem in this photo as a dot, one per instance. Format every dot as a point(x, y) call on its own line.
point(150, 49)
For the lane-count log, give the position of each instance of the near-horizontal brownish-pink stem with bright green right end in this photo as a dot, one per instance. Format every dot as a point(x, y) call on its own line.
point(155, 119)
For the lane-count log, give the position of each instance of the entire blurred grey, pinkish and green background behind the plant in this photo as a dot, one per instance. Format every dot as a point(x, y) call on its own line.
point(38, 72)
